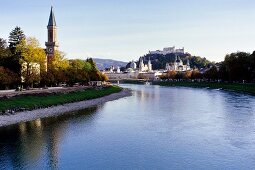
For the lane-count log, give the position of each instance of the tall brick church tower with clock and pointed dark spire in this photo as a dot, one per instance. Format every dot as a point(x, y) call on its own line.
point(52, 43)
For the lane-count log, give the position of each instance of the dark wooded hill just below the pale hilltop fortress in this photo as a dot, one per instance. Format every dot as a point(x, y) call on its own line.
point(159, 61)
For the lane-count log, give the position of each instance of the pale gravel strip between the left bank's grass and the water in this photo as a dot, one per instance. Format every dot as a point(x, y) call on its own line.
point(26, 116)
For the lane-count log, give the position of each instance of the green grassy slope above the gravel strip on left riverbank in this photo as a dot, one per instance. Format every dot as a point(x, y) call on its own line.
point(42, 99)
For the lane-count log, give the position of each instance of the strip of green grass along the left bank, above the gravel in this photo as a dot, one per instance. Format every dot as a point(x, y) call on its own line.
point(33, 102)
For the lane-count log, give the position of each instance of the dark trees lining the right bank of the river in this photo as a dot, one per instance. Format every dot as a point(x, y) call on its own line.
point(237, 67)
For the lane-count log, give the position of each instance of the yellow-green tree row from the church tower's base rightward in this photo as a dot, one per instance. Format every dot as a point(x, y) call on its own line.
point(71, 72)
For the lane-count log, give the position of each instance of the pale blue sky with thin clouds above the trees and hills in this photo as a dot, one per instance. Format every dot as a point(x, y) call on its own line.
point(127, 29)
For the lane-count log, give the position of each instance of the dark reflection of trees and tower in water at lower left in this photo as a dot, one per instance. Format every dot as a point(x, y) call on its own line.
point(26, 144)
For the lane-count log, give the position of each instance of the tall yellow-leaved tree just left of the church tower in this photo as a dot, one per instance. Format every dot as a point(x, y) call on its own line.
point(33, 59)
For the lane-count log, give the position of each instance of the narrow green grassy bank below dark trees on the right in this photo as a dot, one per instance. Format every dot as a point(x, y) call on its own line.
point(244, 88)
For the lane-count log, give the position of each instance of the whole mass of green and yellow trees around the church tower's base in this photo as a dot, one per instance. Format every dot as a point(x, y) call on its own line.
point(25, 58)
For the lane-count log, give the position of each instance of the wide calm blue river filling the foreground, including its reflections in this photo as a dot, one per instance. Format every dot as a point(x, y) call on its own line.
point(156, 128)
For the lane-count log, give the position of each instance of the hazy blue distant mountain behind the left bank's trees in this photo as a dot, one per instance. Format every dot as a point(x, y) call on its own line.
point(107, 63)
